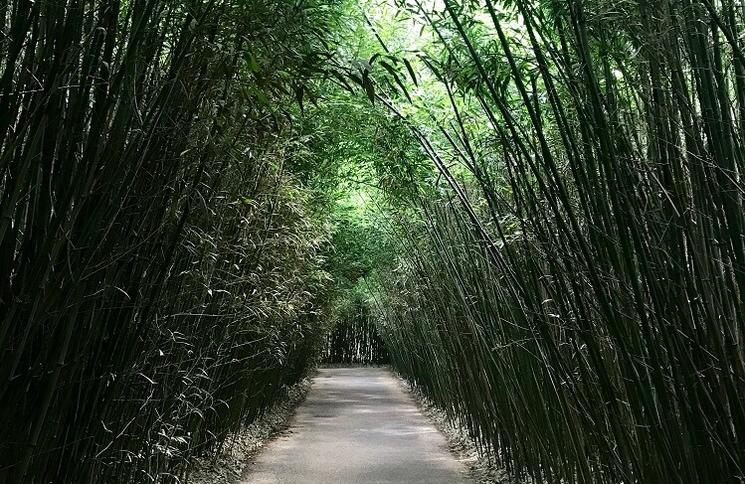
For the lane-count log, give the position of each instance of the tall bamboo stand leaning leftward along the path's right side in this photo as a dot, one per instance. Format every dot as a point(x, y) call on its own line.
point(575, 299)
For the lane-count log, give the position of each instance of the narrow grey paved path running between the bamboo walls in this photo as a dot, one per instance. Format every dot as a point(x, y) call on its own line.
point(357, 426)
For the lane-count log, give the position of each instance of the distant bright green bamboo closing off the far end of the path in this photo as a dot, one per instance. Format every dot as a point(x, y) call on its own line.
point(357, 156)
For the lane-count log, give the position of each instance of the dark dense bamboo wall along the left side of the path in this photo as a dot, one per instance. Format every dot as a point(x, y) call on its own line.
point(160, 259)
